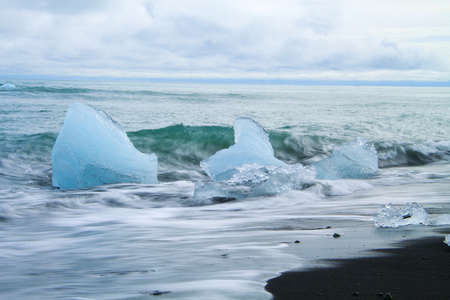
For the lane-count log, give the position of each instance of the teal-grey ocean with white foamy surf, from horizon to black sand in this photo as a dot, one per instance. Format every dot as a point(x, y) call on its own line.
point(138, 241)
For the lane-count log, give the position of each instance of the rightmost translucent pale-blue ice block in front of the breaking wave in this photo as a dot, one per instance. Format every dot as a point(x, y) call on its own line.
point(357, 159)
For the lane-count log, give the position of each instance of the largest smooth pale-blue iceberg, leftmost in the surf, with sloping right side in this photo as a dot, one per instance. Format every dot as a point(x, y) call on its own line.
point(92, 149)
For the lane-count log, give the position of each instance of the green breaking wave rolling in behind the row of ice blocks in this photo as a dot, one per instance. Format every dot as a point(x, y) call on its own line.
point(180, 147)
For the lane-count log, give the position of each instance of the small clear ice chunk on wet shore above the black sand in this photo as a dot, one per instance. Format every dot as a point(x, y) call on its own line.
point(412, 214)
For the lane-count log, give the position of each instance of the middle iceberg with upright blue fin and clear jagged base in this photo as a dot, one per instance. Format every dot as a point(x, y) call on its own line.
point(248, 168)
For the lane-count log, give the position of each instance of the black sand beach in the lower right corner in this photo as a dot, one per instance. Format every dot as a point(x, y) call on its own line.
point(419, 269)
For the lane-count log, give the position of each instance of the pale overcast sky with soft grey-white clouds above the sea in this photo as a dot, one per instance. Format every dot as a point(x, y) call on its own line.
point(283, 39)
